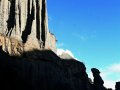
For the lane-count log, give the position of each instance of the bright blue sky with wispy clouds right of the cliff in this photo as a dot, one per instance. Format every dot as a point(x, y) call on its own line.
point(90, 29)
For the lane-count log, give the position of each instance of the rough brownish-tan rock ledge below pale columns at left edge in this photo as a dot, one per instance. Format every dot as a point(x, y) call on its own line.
point(11, 45)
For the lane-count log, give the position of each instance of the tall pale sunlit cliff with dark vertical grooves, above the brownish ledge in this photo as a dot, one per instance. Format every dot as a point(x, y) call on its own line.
point(26, 21)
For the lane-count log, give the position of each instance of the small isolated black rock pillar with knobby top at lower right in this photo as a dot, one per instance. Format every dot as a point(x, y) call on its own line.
point(98, 82)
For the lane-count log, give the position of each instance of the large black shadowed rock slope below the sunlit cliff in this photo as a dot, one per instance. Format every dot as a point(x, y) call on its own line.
point(41, 70)
